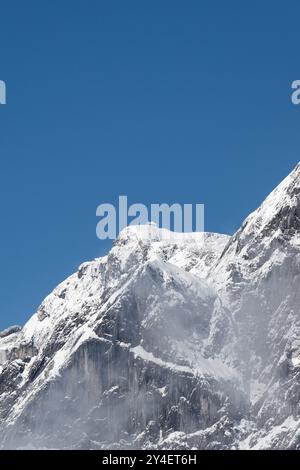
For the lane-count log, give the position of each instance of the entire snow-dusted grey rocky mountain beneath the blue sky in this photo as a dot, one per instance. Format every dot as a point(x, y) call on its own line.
point(166, 342)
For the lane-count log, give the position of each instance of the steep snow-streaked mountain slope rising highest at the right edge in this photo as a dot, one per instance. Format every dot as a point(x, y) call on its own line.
point(258, 277)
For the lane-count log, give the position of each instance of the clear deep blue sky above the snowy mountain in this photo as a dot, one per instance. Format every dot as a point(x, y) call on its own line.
point(165, 101)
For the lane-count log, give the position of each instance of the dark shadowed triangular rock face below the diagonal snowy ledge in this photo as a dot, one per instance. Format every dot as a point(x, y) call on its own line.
point(107, 397)
